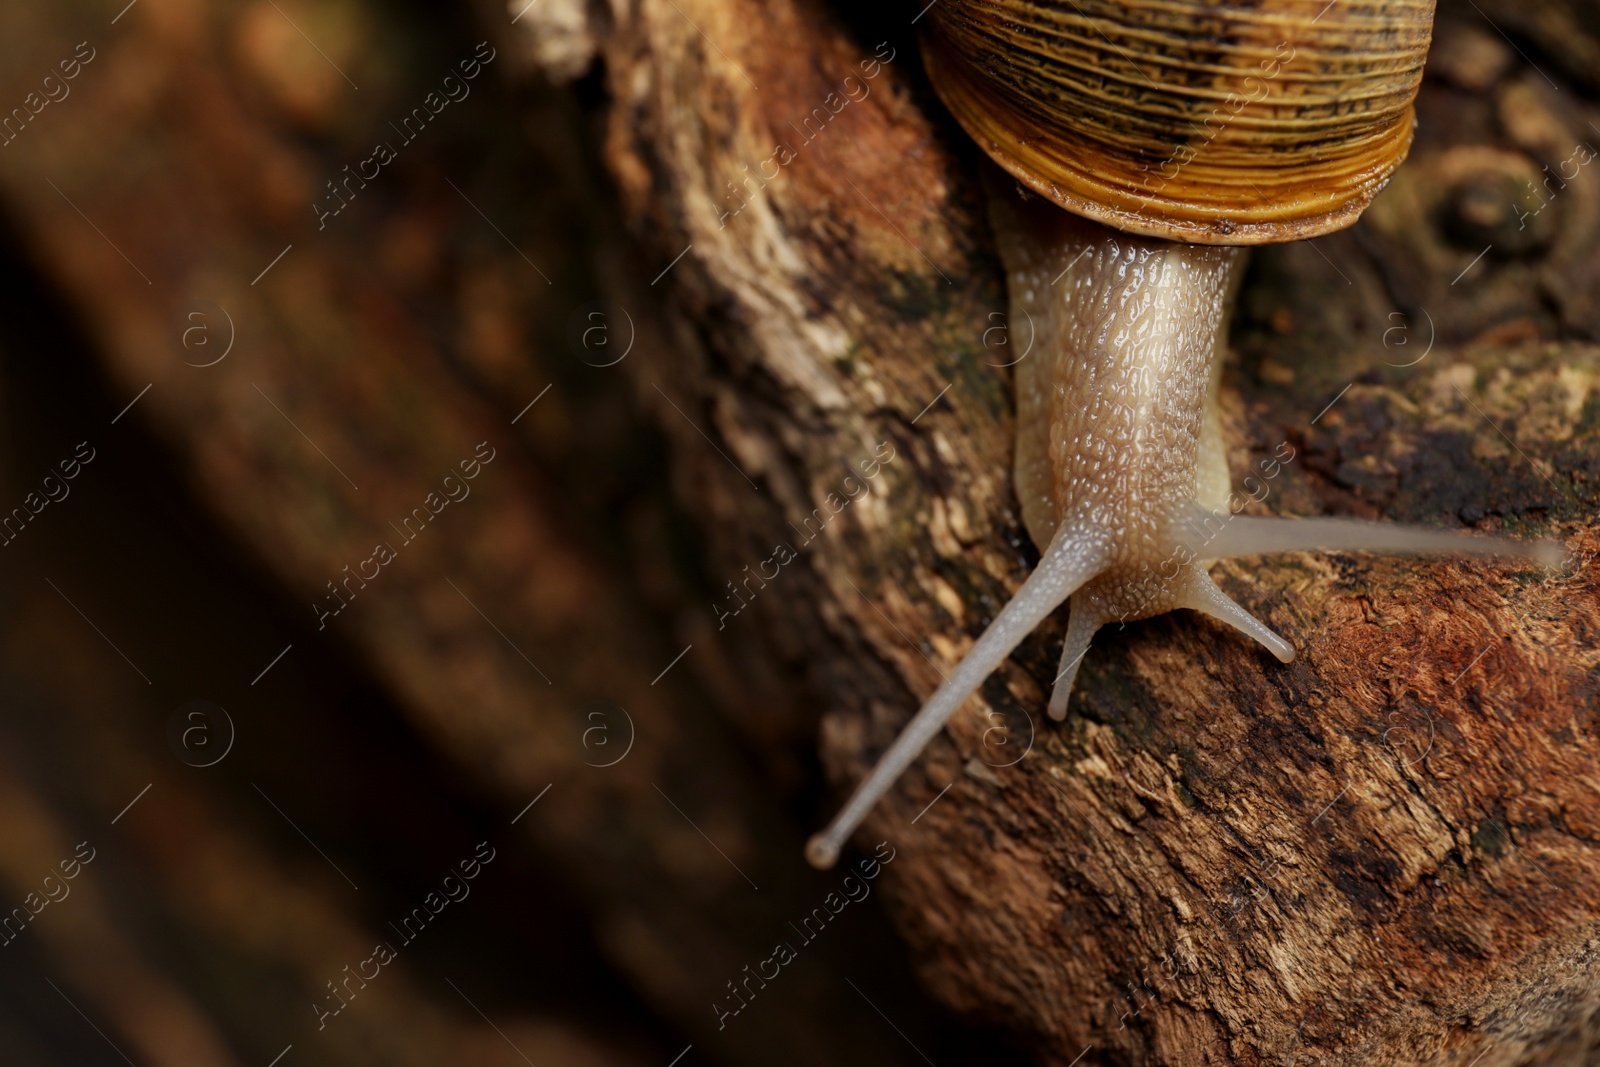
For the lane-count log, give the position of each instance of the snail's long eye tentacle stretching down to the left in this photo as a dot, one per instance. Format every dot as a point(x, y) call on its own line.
point(1076, 554)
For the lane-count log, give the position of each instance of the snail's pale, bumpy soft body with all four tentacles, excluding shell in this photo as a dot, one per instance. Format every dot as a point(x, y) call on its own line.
point(1121, 466)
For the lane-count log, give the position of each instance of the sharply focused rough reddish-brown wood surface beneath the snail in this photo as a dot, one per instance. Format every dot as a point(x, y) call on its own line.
point(1378, 855)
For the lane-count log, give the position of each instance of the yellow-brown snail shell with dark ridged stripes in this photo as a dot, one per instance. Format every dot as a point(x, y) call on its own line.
point(1220, 124)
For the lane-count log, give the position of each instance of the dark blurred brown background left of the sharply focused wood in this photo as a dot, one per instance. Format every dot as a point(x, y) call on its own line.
point(250, 398)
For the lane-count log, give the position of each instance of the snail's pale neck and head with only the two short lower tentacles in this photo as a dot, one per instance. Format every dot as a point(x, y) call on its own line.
point(1118, 428)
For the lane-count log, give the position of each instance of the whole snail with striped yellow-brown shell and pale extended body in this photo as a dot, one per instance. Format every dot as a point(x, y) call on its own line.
point(1151, 143)
